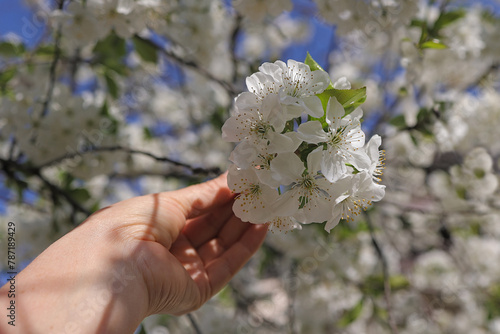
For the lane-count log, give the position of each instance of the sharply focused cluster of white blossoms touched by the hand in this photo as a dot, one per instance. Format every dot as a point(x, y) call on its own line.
point(300, 160)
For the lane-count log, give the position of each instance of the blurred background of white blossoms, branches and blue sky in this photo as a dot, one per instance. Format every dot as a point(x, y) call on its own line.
point(103, 100)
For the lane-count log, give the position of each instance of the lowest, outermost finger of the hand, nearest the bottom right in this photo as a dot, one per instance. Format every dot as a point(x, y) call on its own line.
point(223, 268)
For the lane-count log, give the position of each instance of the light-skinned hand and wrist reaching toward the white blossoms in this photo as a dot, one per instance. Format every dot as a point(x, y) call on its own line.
point(162, 253)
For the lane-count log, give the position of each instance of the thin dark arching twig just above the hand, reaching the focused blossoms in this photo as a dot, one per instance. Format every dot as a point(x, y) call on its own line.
point(194, 170)
